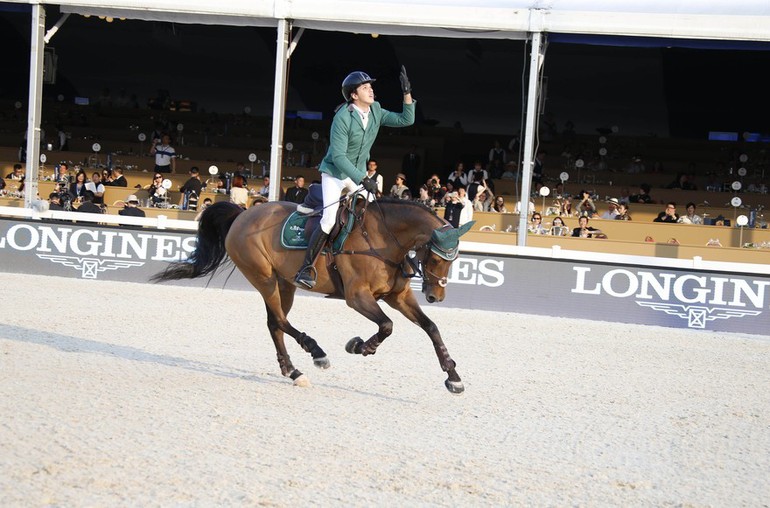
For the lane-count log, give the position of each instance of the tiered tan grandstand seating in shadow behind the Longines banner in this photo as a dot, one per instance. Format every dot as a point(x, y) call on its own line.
point(223, 140)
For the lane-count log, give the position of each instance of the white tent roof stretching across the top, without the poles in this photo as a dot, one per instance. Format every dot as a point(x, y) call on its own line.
point(740, 20)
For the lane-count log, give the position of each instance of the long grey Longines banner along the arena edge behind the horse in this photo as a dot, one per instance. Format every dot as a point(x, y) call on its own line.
point(559, 288)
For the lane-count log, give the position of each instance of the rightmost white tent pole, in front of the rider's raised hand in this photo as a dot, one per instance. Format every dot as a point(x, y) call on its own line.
point(529, 137)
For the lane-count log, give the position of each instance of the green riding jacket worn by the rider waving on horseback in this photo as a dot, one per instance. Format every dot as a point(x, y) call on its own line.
point(349, 143)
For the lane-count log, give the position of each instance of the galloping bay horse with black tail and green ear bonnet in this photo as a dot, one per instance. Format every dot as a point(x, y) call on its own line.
point(388, 243)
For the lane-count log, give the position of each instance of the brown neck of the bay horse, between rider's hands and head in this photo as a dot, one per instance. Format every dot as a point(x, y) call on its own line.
point(411, 224)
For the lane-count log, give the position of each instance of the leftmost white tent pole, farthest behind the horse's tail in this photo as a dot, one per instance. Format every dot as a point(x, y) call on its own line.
point(34, 113)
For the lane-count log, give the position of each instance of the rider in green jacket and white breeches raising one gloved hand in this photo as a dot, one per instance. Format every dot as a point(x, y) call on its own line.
point(353, 131)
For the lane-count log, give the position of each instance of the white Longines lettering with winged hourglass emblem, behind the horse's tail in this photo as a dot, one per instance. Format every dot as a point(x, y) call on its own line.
point(93, 251)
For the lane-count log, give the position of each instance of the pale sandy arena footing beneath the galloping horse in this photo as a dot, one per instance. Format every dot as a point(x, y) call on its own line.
point(117, 394)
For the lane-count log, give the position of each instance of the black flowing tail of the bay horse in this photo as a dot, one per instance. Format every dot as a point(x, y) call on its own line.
point(210, 251)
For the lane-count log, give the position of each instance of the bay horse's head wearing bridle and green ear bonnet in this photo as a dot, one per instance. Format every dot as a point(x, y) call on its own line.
point(439, 252)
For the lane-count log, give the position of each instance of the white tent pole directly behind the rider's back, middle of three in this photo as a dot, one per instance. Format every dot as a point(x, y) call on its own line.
point(279, 108)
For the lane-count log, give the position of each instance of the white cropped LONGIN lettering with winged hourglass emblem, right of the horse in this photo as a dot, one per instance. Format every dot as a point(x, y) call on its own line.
point(696, 298)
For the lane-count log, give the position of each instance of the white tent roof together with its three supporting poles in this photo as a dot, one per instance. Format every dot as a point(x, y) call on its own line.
point(531, 20)
